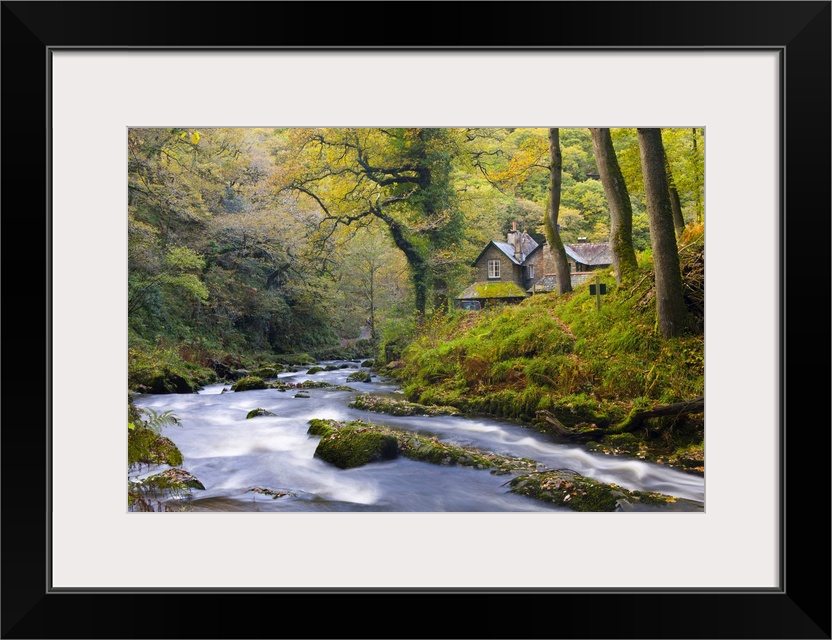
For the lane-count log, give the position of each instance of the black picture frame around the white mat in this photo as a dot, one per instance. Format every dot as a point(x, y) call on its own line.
point(800, 608)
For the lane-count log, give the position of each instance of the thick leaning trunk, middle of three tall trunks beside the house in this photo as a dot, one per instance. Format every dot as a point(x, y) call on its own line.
point(621, 209)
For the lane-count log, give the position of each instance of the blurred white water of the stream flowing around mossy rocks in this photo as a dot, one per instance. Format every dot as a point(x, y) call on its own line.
point(230, 455)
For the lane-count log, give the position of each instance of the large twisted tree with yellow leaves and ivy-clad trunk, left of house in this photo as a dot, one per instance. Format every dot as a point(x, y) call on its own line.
point(401, 177)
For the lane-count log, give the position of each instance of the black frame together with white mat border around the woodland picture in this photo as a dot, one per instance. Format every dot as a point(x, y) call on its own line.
point(754, 76)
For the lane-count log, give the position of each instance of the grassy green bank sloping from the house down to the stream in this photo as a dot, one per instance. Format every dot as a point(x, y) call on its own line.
point(589, 370)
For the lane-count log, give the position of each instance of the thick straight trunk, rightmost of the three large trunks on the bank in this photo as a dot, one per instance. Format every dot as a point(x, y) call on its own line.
point(670, 303)
